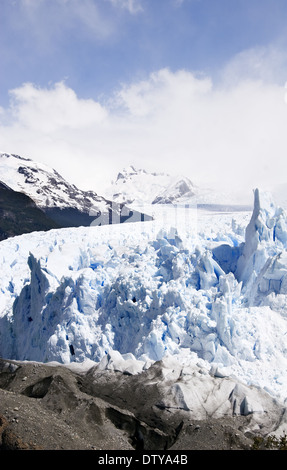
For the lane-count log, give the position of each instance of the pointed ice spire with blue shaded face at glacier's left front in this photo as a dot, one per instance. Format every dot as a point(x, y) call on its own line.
point(37, 313)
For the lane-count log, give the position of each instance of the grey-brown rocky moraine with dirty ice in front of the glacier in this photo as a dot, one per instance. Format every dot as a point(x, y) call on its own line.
point(55, 407)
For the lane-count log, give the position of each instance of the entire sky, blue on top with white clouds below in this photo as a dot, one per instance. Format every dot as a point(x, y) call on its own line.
point(192, 87)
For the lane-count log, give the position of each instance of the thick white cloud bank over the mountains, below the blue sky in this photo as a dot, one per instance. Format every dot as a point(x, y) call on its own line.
point(231, 137)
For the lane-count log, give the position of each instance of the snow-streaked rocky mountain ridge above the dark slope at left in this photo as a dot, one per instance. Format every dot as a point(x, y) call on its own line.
point(61, 201)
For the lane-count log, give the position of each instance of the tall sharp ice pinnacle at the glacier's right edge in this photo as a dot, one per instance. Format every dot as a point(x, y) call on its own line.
point(262, 264)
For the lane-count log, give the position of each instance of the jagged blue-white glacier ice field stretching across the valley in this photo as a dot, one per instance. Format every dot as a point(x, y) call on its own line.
point(192, 284)
